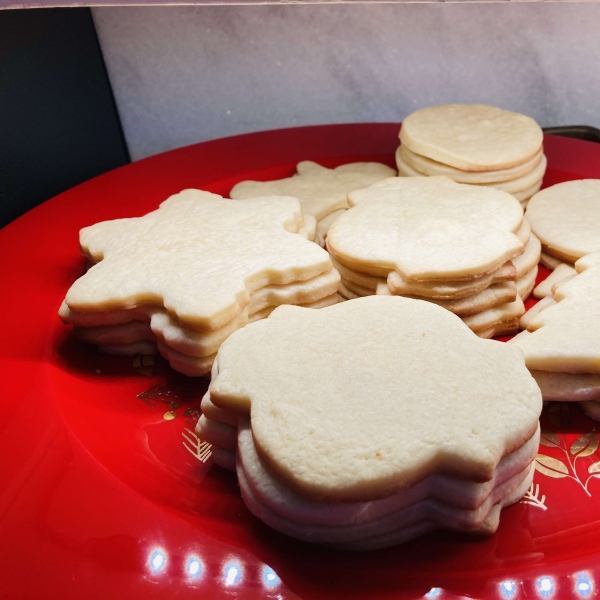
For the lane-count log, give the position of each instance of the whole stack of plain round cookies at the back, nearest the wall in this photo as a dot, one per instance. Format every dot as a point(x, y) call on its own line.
point(475, 144)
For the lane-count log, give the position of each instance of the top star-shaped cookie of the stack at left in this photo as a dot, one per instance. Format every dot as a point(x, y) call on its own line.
point(176, 257)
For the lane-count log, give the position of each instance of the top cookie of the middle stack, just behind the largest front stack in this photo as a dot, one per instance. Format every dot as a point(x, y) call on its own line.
point(427, 228)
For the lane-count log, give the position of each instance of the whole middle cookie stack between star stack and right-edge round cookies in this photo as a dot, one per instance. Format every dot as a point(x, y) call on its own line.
point(465, 248)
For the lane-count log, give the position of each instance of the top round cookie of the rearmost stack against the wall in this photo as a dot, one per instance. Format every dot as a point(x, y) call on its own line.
point(472, 137)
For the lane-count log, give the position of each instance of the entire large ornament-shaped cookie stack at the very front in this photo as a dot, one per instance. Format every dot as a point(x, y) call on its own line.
point(447, 434)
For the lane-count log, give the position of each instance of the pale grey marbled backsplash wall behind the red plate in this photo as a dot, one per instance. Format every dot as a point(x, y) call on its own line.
point(186, 74)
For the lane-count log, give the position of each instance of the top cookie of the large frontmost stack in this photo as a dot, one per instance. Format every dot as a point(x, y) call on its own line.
point(408, 353)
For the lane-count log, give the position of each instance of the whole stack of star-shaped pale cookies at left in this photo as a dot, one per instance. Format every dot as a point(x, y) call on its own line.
point(181, 279)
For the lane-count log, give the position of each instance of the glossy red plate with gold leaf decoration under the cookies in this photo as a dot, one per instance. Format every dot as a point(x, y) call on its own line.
point(99, 496)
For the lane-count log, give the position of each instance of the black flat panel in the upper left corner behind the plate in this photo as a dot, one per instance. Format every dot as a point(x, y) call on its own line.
point(59, 124)
